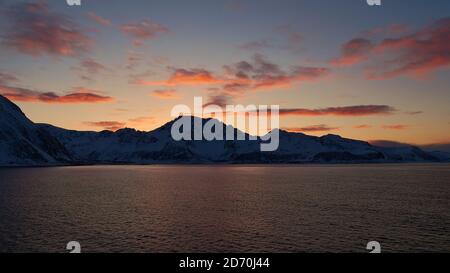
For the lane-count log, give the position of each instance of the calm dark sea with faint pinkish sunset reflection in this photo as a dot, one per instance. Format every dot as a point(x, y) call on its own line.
point(307, 208)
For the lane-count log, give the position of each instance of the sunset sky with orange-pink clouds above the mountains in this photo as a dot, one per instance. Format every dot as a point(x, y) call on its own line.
point(338, 67)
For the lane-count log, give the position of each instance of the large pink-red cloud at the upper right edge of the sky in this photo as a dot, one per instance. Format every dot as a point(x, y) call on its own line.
point(417, 54)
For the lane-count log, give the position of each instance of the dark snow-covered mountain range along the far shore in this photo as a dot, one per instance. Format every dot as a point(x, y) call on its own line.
point(24, 143)
